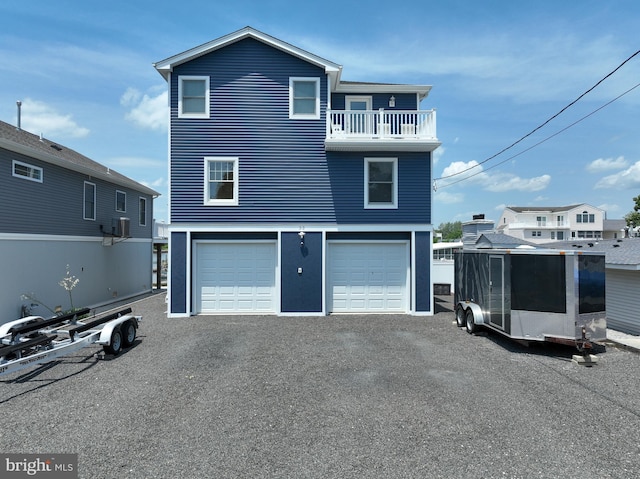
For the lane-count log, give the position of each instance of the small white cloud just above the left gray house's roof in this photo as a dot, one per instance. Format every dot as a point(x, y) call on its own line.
point(38, 117)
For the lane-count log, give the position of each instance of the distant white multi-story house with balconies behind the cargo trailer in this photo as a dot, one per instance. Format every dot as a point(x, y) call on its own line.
point(541, 224)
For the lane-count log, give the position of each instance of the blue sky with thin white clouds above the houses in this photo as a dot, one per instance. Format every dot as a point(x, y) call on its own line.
point(499, 69)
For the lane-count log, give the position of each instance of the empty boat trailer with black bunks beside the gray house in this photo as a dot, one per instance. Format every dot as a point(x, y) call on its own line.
point(34, 340)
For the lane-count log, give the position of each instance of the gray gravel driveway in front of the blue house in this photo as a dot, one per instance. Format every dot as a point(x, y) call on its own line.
point(327, 397)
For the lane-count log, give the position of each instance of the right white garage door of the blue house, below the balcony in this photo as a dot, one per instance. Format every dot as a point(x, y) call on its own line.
point(367, 277)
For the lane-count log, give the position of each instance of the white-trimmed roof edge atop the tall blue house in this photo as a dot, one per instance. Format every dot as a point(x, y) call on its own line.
point(333, 70)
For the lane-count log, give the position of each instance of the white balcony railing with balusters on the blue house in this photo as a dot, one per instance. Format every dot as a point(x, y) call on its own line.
point(381, 124)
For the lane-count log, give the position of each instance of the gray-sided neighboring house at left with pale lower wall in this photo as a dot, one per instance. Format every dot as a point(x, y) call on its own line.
point(60, 208)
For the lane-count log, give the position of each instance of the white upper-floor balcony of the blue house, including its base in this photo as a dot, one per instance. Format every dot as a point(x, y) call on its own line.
point(381, 130)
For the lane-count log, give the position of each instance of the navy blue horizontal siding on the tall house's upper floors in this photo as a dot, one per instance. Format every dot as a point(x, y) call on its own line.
point(284, 172)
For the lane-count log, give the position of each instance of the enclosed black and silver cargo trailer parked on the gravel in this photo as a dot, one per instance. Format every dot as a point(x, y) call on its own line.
point(533, 294)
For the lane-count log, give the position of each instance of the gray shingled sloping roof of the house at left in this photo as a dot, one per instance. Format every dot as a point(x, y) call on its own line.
point(34, 146)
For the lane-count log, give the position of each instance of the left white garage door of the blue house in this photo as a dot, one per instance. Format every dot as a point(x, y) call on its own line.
point(235, 277)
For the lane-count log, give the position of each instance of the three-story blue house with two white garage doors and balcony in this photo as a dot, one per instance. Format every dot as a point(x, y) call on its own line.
point(291, 190)
